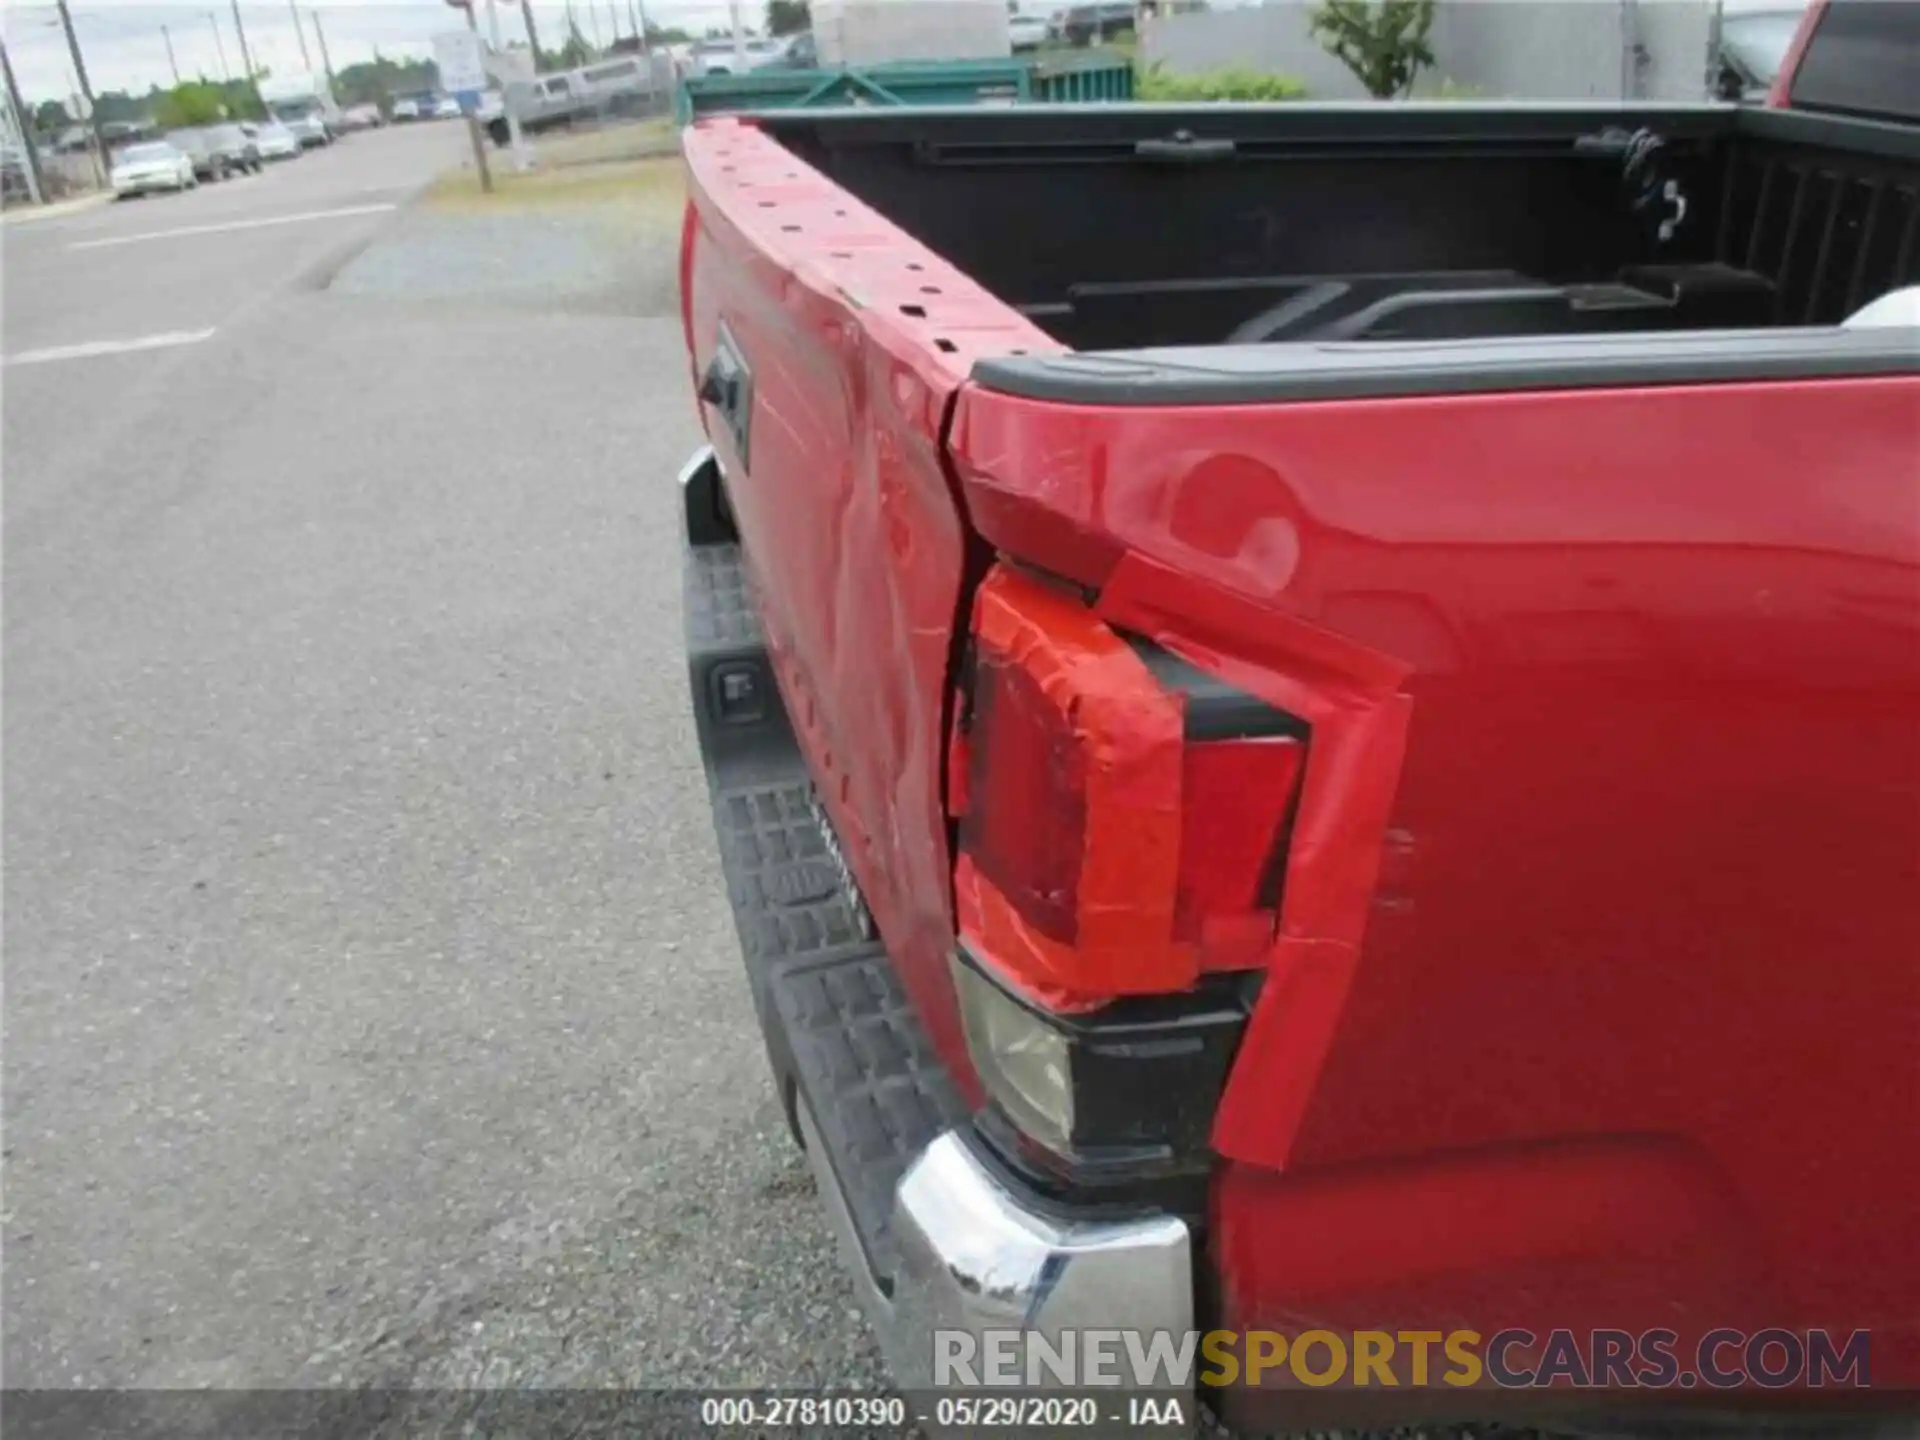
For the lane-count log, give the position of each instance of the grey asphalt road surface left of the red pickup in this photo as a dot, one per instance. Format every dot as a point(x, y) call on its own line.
point(373, 1013)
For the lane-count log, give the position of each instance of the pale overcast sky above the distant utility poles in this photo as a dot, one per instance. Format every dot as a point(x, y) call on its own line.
point(126, 51)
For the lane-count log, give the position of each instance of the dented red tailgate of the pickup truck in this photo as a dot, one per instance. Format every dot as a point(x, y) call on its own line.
point(853, 343)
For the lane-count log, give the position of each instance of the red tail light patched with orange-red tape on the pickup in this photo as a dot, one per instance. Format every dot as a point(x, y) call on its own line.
point(1122, 815)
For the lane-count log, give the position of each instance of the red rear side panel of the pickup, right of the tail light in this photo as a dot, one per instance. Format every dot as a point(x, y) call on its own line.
point(1625, 817)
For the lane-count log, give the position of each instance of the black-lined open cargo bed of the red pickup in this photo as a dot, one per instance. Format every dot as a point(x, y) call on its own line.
point(1145, 228)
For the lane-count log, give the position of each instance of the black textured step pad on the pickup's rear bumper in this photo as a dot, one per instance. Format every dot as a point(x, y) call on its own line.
point(838, 1024)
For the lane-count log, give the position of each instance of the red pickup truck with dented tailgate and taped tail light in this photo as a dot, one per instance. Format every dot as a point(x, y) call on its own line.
point(1314, 727)
